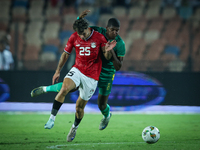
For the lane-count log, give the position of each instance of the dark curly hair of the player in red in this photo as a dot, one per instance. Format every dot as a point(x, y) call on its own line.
point(80, 25)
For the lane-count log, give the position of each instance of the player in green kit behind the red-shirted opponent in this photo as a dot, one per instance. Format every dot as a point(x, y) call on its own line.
point(109, 67)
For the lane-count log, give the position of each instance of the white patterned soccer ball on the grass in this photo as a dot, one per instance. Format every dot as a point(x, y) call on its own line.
point(150, 134)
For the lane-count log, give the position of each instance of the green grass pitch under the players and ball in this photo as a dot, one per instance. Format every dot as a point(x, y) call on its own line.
point(26, 132)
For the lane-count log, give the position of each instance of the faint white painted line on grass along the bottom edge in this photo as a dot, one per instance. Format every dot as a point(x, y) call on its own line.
point(66, 145)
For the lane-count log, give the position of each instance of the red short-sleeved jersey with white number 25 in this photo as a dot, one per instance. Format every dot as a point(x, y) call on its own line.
point(88, 55)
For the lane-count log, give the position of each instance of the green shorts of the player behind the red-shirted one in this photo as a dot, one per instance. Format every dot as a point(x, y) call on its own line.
point(105, 86)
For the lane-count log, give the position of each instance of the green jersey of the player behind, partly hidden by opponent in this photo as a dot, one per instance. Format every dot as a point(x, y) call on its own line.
point(108, 69)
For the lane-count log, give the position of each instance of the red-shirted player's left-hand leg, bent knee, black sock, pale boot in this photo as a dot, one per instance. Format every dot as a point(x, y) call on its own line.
point(68, 85)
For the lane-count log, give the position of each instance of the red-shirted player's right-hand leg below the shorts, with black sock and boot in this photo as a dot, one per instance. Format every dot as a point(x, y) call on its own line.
point(80, 105)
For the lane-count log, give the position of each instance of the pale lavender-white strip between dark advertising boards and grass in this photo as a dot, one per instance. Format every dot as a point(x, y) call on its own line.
point(70, 108)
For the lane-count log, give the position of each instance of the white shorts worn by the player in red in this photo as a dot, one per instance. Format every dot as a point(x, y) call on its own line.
point(87, 85)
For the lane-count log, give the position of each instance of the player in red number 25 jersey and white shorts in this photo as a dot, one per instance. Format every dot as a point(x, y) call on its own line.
point(84, 74)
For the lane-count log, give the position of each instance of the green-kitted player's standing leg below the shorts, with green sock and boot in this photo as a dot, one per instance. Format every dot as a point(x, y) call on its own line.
point(105, 110)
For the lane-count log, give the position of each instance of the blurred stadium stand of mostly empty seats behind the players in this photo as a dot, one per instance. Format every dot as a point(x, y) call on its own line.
point(160, 35)
